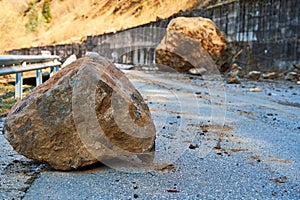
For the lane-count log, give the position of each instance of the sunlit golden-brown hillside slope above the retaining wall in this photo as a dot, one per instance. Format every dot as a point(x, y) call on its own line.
point(23, 24)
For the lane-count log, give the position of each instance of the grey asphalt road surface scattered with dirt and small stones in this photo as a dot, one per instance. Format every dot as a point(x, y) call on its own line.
point(214, 141)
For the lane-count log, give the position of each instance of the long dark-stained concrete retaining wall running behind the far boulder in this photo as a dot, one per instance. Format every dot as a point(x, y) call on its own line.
point(268, 32)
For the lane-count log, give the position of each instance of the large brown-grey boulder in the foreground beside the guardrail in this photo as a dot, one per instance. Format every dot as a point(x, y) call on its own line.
point(87, 112)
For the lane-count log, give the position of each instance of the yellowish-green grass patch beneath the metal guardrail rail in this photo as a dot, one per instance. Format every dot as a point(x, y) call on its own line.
point(7, 100)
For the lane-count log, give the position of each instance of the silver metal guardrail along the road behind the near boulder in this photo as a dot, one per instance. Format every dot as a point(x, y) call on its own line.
point(15, 64)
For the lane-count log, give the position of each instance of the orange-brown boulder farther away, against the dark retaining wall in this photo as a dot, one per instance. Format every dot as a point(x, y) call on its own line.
point(189, 42)
